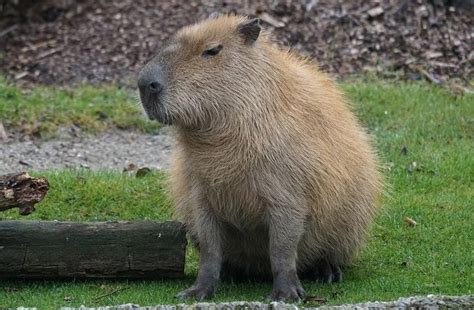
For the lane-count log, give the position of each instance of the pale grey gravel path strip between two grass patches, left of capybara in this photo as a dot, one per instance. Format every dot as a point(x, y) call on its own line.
point(114, 150)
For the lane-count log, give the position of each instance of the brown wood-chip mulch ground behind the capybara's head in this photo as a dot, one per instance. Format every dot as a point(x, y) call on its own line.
point(64, 42)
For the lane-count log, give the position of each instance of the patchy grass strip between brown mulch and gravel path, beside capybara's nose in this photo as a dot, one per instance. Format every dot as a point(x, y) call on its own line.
point(41, 111)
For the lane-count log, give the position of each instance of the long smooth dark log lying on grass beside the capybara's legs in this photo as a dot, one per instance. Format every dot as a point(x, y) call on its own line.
point(53, 250)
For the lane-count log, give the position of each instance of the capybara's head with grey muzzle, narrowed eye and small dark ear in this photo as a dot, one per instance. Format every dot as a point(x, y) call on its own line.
point(204, 73)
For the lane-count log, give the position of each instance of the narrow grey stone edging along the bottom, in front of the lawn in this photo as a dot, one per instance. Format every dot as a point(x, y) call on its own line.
point(429, 302)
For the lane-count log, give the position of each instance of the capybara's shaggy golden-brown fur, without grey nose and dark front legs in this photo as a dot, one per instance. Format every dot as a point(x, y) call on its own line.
point(265, 140)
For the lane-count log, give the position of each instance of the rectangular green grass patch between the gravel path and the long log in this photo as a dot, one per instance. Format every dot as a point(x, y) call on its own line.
point(82, 195)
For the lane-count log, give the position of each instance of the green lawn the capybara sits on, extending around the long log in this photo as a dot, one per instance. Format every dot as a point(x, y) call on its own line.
point(434, 129)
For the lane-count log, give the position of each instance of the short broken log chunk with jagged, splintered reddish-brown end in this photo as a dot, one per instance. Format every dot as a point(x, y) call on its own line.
point(21, 191)
